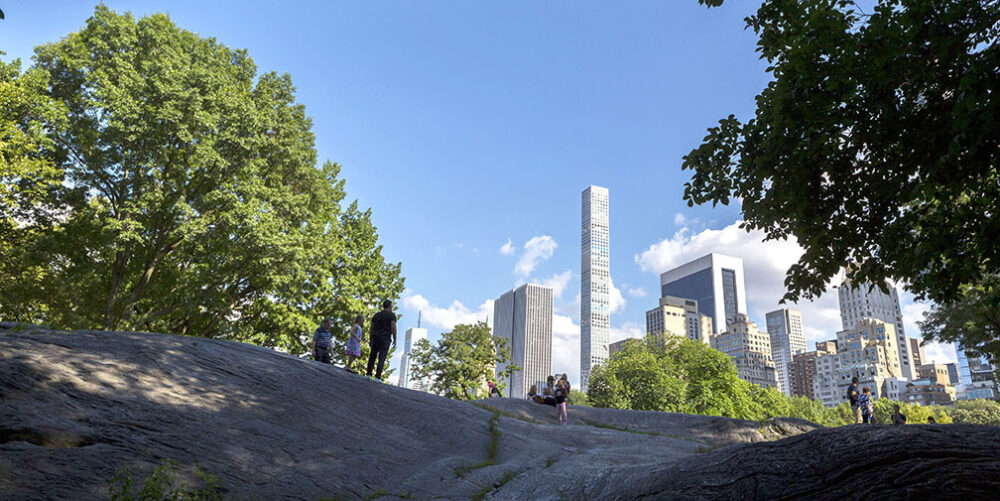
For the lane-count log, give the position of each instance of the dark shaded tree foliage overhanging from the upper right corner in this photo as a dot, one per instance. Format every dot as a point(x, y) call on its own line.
point(876, 143)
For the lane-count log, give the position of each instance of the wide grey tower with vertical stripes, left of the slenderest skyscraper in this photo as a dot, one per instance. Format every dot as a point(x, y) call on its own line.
point(523, 317)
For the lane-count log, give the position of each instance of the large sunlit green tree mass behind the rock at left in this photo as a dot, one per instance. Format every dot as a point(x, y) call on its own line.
point(194, 202)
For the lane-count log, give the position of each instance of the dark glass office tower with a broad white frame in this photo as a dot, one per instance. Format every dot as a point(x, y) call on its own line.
point(715, 281)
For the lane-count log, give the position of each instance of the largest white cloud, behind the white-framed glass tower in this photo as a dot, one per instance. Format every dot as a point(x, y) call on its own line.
point(764, 265)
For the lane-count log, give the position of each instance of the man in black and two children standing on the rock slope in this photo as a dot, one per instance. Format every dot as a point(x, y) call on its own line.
point(383, 336)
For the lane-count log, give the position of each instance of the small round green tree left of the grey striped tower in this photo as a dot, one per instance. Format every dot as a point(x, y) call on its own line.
point(462, 361)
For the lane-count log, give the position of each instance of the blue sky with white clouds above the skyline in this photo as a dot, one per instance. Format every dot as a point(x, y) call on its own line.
point(465, 125)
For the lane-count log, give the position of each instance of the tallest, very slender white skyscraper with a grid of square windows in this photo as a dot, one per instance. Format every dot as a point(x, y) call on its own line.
point(595, 281)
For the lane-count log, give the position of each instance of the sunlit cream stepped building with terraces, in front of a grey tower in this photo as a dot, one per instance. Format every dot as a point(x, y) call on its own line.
point(867, 352)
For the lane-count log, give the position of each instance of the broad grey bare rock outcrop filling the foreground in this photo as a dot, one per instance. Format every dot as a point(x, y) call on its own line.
point(75, 407)
